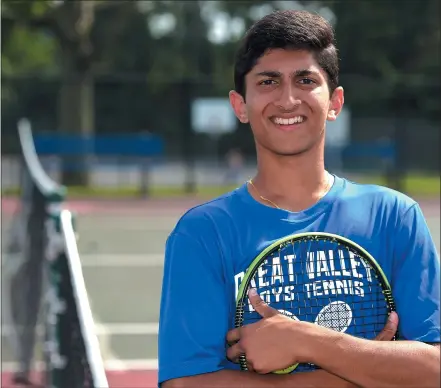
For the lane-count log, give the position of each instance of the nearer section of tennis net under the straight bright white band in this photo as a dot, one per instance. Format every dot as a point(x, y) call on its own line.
point(73, 353)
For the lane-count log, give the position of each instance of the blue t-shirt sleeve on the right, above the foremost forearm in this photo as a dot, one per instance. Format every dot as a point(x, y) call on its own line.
point(416, 279)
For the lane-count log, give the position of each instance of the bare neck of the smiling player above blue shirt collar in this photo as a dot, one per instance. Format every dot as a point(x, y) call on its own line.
point(293, 183)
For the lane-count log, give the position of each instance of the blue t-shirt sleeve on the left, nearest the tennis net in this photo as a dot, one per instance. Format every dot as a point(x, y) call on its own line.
point(194, 310)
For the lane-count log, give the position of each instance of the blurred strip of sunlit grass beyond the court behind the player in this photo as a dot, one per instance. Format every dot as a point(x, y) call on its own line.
point(414, 185)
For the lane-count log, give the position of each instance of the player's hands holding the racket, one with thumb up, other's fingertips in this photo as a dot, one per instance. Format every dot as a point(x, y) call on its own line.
point(277, 341)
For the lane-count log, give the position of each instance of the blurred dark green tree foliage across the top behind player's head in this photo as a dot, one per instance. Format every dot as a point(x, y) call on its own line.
point(144, 54)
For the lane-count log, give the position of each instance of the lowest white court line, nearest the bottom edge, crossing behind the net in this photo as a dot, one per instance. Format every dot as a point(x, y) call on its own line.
point(110, 365)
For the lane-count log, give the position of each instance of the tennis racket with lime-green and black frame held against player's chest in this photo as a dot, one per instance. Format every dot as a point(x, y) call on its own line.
point(321, 278)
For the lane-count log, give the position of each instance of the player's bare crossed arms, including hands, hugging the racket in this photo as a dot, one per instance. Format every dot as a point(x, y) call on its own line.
point(276, 342)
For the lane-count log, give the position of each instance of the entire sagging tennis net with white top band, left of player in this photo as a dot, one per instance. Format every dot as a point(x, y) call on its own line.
point(42, 268)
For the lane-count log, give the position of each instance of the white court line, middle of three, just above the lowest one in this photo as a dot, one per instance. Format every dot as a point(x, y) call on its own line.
point(101, 329)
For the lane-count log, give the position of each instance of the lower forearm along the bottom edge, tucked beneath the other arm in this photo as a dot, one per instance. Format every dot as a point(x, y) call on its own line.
point(231, 378)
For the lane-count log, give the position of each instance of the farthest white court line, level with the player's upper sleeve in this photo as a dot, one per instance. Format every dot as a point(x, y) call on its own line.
point(121, 260)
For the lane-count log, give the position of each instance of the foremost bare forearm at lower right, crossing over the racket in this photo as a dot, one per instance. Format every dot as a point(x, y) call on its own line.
point(375, 363)
